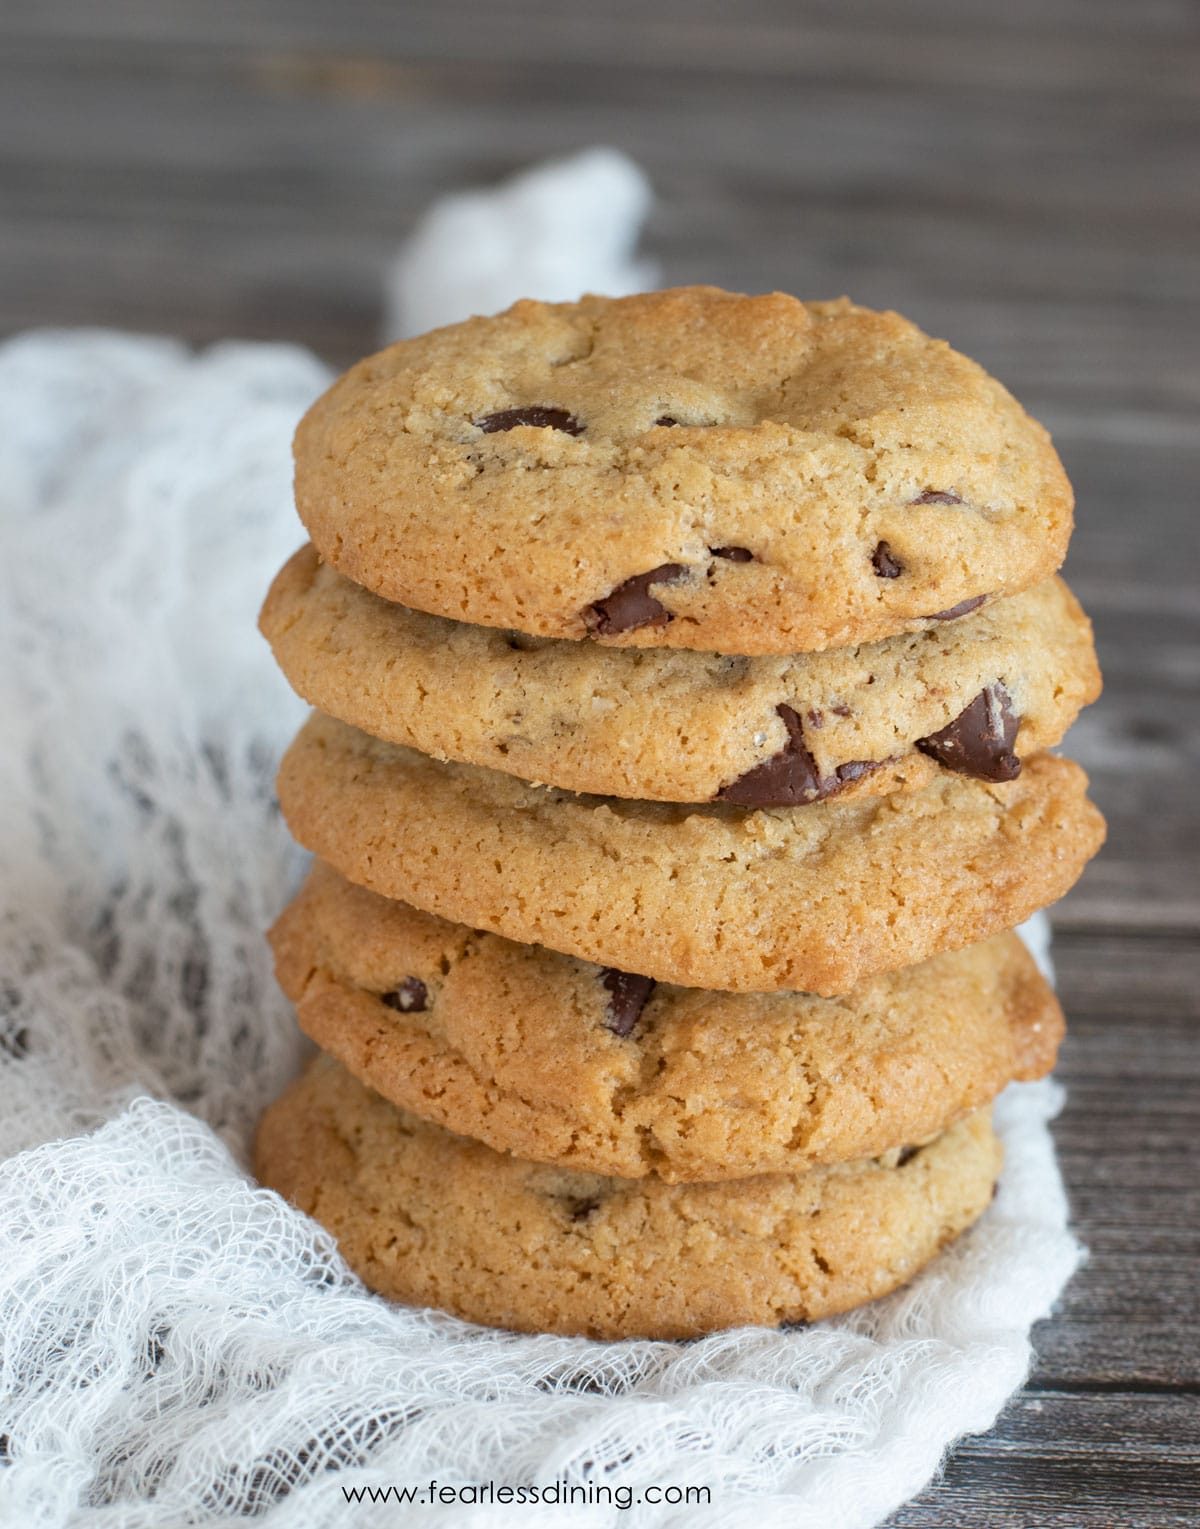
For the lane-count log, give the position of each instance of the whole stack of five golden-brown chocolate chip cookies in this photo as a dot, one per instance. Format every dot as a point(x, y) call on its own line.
point(687, 669)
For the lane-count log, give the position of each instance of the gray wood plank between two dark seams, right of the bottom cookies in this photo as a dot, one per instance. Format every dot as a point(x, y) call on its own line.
point(1130, 1152)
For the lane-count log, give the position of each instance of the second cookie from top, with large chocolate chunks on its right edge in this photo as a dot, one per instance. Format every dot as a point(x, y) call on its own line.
point(673, 726)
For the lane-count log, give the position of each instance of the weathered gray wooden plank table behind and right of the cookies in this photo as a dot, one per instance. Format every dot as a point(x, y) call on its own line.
point(1020, 178)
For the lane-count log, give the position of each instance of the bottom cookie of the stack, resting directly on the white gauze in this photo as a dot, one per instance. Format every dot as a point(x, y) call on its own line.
point(436, 1219)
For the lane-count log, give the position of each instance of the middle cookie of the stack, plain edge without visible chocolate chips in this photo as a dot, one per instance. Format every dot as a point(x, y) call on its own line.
point(808, 898)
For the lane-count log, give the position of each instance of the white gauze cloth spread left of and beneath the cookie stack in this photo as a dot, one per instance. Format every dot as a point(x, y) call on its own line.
point(178, 1346)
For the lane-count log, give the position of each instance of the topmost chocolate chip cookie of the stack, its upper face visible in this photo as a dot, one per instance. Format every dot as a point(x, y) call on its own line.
point(687, 469)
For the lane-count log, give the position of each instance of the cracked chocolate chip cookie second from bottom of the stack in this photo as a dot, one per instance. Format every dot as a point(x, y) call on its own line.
point(557, 1060)
